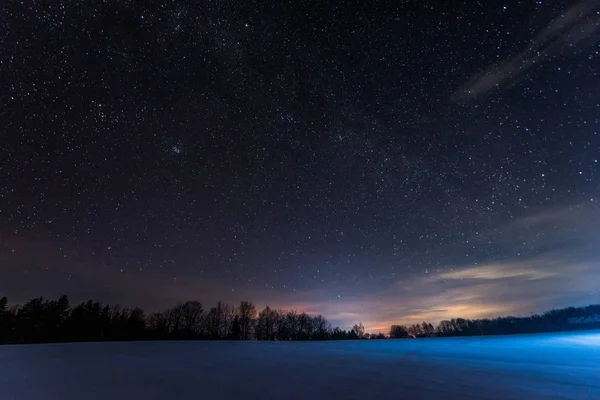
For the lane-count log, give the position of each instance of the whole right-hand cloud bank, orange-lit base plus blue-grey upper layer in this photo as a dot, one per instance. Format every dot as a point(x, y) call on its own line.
point(562, 269)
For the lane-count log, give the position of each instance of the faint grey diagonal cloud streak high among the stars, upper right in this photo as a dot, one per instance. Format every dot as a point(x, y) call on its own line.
point(578, 25)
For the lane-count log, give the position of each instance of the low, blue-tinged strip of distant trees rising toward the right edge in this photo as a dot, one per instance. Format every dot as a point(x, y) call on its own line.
point(565, 319)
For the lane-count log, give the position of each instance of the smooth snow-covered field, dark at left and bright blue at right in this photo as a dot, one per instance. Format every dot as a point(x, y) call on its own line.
point(548, 366)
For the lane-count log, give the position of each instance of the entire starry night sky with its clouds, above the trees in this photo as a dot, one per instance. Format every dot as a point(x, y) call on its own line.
point(390, 162)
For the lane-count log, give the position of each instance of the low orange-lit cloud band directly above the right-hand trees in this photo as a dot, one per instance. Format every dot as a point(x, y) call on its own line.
point(490, 290)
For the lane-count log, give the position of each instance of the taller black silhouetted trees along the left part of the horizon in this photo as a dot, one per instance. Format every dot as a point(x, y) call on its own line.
point(42, 321)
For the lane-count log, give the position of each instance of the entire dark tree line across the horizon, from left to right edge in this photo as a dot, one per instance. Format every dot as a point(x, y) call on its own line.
point(42, 321)
